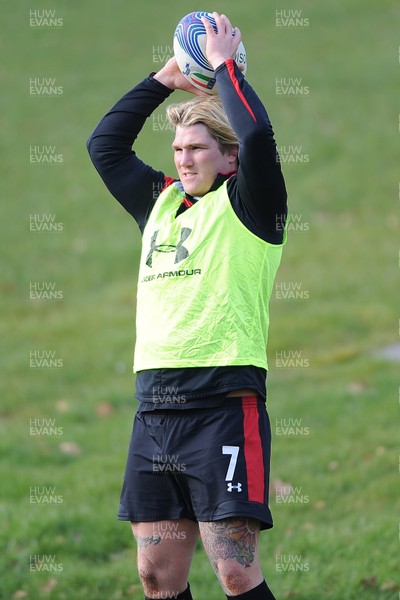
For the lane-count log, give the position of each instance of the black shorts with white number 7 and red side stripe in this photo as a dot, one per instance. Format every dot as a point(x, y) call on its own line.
point(199, 464)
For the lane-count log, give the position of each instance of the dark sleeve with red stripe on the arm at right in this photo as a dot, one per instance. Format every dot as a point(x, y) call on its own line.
point(260, 184)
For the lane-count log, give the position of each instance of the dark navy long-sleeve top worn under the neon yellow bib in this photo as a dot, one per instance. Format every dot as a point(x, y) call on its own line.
point(257, 194)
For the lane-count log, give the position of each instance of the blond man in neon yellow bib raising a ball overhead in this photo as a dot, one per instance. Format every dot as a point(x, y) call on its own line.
point(198, 462)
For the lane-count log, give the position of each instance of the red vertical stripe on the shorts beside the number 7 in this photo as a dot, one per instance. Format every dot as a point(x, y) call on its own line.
point(253, 453)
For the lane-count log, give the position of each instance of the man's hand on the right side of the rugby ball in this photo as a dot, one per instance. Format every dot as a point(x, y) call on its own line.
point(222, 45)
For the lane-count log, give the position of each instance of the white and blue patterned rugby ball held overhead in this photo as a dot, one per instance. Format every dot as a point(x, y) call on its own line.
point(189, 51)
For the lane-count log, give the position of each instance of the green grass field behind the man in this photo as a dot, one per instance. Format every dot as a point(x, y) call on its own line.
point(334, 404)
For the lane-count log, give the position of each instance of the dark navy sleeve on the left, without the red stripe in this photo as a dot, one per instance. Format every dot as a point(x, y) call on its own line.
point(133, 183)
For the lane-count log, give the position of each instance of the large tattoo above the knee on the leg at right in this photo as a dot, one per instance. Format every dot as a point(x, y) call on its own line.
point(230, 538)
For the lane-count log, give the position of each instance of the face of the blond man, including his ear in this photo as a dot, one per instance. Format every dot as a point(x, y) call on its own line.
point(198, 158)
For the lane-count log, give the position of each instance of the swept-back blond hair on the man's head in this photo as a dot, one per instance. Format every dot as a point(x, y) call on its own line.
point(208, 112)
